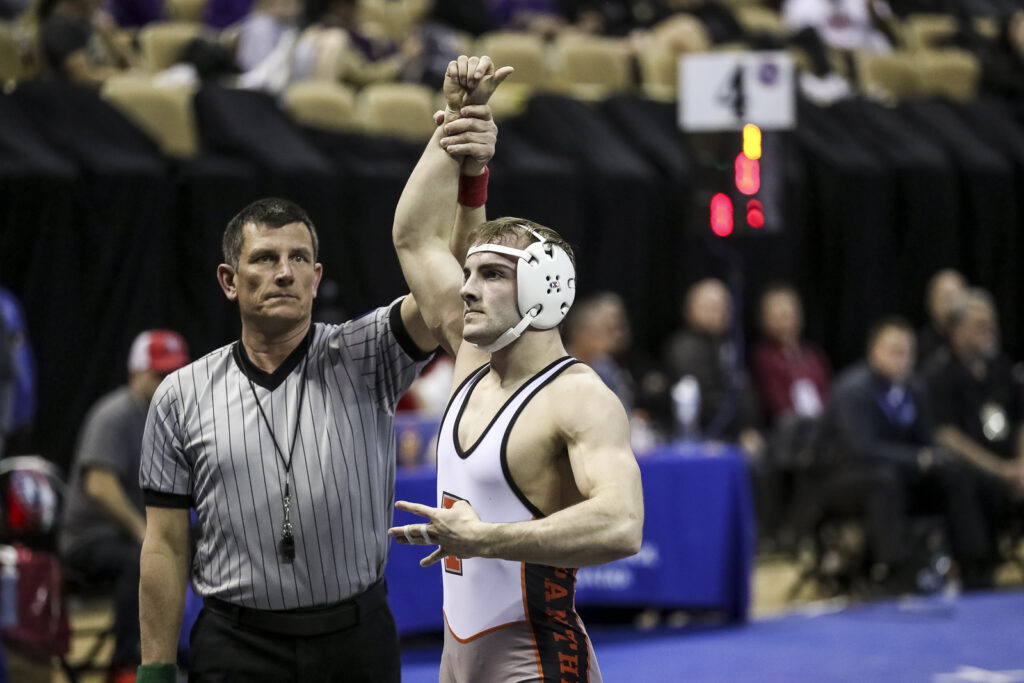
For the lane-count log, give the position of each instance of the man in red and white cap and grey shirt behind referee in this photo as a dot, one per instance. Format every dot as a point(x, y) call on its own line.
point(105, 522)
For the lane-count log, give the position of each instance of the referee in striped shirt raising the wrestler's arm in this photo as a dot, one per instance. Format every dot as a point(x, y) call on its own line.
point(284, 445)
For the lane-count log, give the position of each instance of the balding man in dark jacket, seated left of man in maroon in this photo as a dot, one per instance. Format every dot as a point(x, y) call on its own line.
point(705, 352)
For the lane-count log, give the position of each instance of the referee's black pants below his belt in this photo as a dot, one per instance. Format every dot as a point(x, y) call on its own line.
point(227, 651)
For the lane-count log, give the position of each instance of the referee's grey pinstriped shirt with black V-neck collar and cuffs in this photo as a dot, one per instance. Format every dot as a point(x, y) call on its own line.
point(207, 447)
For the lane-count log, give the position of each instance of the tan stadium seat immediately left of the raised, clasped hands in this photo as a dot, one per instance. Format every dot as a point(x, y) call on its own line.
point(399, 110)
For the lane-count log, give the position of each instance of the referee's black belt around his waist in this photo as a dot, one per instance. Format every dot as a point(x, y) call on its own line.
point(305, 621)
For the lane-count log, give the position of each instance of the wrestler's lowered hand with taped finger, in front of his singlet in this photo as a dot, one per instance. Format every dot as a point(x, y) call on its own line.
point(457, 531)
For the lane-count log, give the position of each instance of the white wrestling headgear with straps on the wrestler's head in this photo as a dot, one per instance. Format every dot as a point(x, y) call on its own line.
point(546, 287)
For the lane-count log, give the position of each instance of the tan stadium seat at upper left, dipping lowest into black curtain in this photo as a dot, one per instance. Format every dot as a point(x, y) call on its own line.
point(163, 113)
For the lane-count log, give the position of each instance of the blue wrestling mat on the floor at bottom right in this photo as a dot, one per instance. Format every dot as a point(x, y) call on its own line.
point(977, 637)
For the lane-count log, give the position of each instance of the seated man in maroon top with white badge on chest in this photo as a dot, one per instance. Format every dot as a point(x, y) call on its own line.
point(792, 376)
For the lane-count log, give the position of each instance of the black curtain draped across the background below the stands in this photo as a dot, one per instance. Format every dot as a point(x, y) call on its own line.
point(101, 237)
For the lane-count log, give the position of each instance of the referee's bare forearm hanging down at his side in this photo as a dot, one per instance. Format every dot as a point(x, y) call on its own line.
point(164, 574)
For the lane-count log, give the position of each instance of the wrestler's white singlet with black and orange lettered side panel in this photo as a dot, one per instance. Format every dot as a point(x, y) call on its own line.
point(505, 621)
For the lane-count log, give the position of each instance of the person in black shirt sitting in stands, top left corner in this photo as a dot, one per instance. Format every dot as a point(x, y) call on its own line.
point(78, 45)
